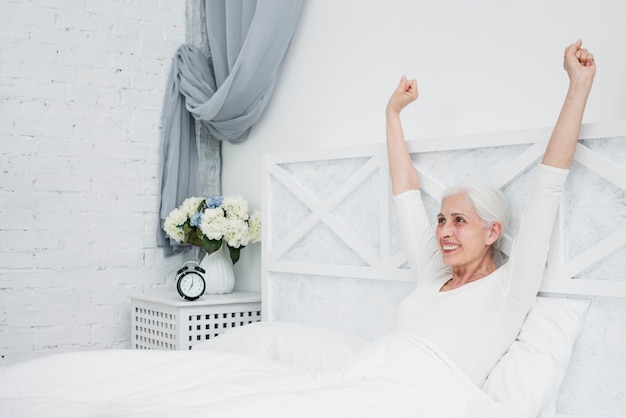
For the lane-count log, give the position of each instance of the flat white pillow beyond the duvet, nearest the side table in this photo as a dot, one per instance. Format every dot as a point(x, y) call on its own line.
point(311, 346)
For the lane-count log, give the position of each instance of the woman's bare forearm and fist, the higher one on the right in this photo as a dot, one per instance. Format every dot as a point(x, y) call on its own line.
point(581, 69)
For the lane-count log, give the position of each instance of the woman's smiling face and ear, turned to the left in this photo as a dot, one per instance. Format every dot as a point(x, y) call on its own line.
point(463, 239)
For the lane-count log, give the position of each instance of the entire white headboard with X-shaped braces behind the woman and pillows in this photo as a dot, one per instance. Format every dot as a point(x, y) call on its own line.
point(332, 253)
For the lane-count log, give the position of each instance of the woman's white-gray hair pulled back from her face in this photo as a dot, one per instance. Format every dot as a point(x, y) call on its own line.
point(488, 201)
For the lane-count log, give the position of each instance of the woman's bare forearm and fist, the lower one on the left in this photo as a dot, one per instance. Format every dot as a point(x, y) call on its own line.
point(403, 174)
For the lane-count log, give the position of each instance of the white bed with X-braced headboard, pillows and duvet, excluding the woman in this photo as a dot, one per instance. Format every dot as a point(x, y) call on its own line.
point(333, 271)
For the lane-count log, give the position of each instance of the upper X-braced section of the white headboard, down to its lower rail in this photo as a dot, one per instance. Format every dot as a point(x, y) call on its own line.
point(329, 212)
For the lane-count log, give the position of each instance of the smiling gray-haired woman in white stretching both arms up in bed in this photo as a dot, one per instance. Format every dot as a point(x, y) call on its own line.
point(464, 303)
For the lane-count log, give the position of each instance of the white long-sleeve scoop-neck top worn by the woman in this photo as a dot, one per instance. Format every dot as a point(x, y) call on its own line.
point(477, 322)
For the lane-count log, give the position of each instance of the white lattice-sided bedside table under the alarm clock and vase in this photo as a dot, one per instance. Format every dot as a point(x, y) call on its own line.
point(167, 322)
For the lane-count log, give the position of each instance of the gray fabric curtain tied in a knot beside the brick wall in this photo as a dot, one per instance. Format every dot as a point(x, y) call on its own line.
point(225, 88)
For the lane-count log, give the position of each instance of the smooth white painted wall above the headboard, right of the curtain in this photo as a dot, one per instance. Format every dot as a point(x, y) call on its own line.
point(481, 66)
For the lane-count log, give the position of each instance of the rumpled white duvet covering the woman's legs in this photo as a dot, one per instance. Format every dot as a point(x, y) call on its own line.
point(396, 376)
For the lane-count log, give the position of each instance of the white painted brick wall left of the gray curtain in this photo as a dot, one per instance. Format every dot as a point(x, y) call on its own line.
point(81, 88)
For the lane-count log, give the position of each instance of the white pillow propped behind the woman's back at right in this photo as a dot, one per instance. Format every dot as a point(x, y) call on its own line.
point(529, 375)
